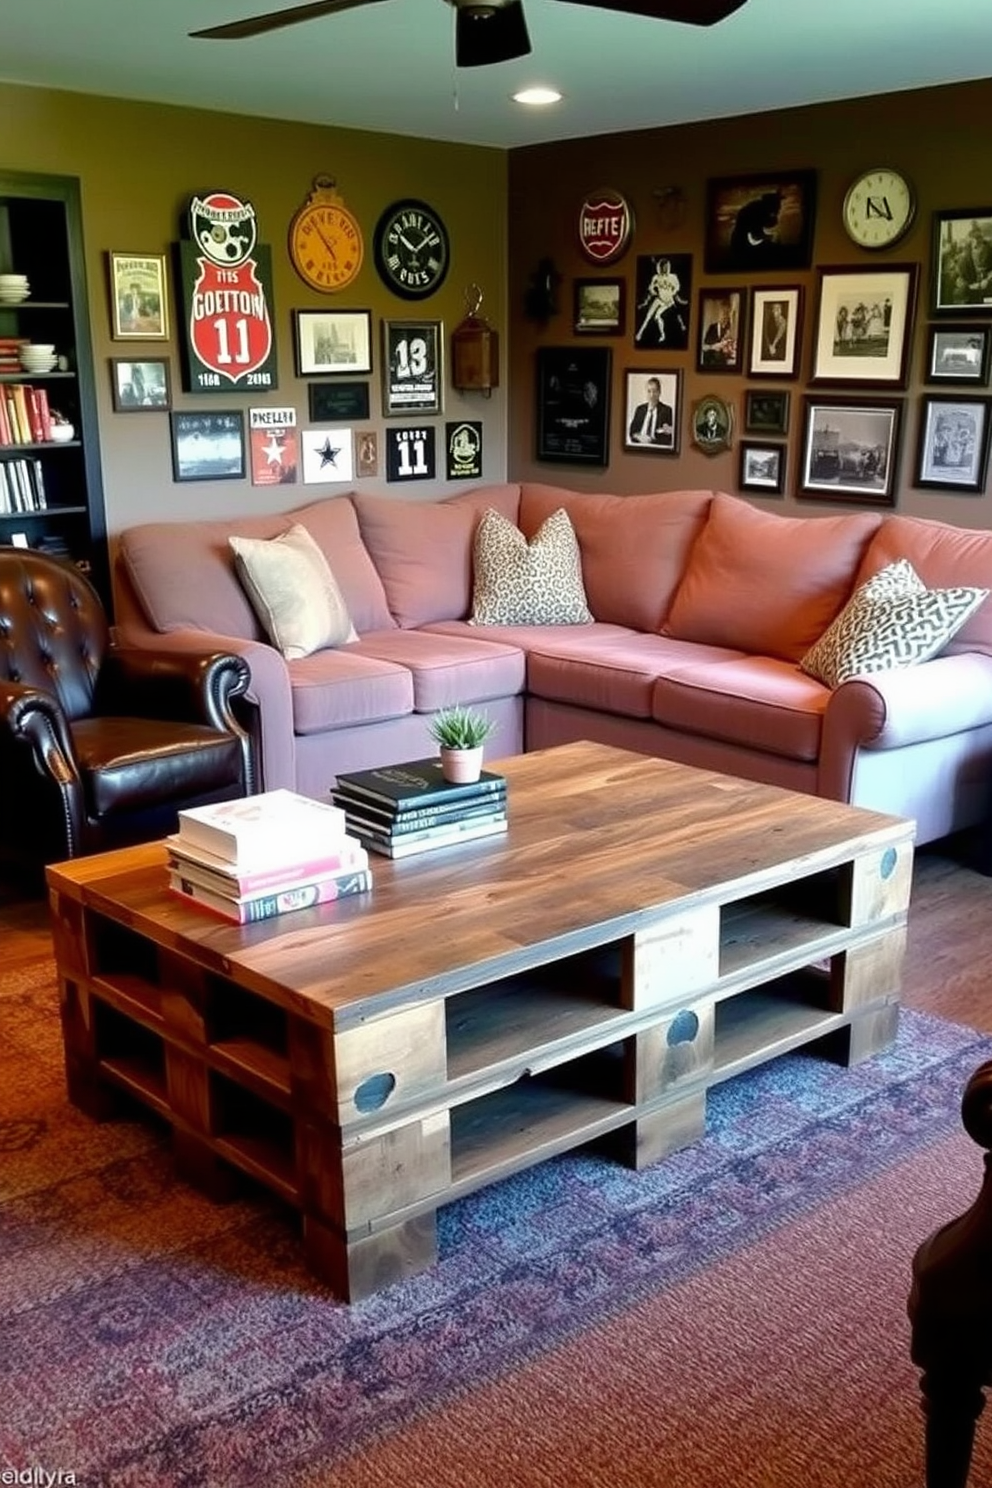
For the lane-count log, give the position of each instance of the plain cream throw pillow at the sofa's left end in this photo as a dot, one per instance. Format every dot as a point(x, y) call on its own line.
point(294, 593)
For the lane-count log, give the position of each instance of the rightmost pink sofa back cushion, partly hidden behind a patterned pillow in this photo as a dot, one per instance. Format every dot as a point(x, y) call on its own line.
point(944, 557)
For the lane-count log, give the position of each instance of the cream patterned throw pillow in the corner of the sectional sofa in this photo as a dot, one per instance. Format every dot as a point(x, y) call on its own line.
point(529, 584)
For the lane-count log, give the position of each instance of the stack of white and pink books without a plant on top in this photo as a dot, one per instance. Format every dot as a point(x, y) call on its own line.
point(265, 855)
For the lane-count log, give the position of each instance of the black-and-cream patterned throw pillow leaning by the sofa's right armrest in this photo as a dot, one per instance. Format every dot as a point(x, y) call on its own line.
point(892, 621)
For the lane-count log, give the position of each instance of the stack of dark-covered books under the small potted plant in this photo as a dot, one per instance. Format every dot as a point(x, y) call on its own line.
point(401, 810)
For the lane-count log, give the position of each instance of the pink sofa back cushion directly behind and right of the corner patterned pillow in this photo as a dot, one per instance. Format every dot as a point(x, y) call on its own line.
point(634, 548)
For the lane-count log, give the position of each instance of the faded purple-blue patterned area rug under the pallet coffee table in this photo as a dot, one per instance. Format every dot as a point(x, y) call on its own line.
point(154, 1338)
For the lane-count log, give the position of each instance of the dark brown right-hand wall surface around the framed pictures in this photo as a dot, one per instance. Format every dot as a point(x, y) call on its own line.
point(938, 138)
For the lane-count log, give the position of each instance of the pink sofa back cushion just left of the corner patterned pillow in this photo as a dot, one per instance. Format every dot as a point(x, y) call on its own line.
point(423, 550)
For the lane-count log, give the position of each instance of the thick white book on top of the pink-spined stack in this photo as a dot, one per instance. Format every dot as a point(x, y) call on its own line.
point(265, 831)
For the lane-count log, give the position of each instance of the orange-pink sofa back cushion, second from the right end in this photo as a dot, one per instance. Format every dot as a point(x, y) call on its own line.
point(765, 584)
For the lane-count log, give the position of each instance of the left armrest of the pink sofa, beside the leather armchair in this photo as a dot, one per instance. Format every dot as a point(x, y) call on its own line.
point(267, 706)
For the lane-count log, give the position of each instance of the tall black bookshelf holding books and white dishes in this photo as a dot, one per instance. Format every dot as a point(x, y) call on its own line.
point(41, 236)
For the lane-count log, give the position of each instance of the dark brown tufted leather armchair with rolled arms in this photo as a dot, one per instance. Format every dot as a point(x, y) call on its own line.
point(102, 746)
